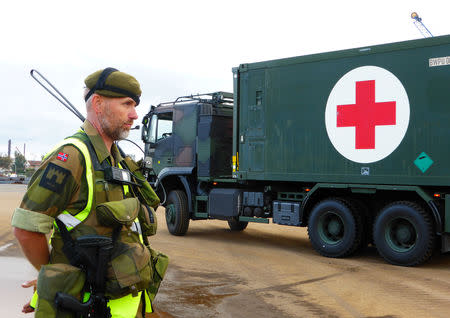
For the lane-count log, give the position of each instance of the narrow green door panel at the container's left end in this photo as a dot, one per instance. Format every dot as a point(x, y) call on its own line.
point(252, 127)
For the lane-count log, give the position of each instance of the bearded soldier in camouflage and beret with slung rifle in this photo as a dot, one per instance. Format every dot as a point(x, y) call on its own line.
point(71, 191)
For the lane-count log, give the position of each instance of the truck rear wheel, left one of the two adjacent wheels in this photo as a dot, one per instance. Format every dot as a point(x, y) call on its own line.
point(334, 228)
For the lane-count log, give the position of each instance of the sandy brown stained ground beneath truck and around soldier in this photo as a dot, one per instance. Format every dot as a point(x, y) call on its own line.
point(264, 271)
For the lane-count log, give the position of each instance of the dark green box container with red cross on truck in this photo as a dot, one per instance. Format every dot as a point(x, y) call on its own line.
point(375, 115)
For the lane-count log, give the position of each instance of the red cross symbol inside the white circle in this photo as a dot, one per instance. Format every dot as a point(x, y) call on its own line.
point(365, 115)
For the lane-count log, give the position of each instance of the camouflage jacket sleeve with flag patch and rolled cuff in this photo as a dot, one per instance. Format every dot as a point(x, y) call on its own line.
point(56, 186)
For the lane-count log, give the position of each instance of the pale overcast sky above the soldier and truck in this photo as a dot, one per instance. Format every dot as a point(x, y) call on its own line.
point(173, 48)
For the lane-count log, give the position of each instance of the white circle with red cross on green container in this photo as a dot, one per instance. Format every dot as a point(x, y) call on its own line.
point(381, 120)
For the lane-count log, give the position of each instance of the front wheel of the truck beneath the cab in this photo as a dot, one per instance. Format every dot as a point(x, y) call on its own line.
point(177, 213)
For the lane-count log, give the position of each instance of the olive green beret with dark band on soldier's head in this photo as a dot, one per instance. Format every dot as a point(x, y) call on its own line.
point(110, 82)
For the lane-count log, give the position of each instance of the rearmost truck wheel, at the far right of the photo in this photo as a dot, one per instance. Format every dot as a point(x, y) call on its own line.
point(403, 234)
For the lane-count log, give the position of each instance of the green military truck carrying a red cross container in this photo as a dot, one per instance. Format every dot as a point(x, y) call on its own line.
point(353, 144)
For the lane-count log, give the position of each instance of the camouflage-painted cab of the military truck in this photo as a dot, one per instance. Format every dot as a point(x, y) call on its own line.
point(187, 144)
